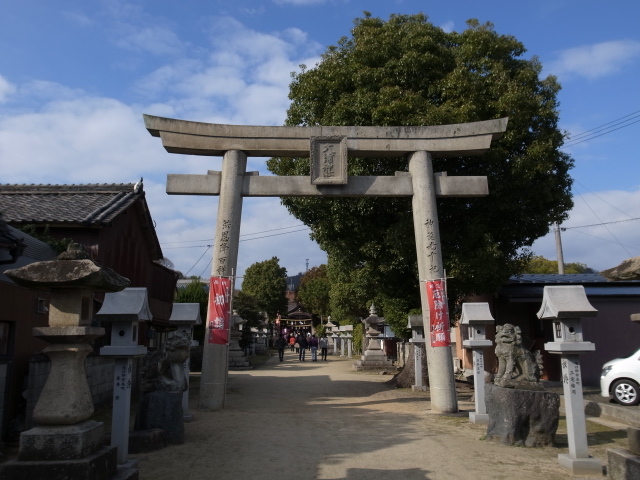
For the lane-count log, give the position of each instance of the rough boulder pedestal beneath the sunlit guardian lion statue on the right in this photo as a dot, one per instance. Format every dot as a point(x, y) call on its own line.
point(522, 417)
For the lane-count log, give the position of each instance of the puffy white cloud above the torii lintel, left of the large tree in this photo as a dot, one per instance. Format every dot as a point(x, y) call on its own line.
point(244, 78)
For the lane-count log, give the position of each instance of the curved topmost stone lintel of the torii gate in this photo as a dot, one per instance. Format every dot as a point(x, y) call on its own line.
point(196, 138)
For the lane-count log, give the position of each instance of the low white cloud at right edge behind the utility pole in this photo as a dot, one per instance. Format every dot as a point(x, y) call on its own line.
point(599, 247)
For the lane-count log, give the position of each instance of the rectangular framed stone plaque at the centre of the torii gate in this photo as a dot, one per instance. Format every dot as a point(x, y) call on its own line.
point(328, 160)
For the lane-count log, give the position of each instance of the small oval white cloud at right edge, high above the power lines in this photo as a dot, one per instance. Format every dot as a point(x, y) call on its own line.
point(595, 61)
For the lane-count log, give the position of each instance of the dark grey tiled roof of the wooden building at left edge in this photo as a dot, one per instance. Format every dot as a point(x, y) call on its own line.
point(90, 205)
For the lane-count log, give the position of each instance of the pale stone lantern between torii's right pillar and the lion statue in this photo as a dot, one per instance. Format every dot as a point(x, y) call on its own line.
point(476, 316)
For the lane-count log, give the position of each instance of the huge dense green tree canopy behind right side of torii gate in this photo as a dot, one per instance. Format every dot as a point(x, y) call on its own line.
point(406, 71)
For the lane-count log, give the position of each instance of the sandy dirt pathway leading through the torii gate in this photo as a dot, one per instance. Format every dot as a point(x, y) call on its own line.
point(322, 420)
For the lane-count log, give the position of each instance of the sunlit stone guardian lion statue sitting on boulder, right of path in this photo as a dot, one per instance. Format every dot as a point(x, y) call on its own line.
point(517, 367)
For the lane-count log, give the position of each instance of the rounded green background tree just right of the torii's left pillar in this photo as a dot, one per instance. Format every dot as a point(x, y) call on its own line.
point(267, 283)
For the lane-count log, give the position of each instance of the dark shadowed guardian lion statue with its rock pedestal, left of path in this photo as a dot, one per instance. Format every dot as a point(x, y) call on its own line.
point(163, 383)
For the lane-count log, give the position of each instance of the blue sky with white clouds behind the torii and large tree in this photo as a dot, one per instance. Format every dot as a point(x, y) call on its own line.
point(76, 77)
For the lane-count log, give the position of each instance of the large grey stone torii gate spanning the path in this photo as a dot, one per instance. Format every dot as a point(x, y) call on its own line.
point(329, 149)
